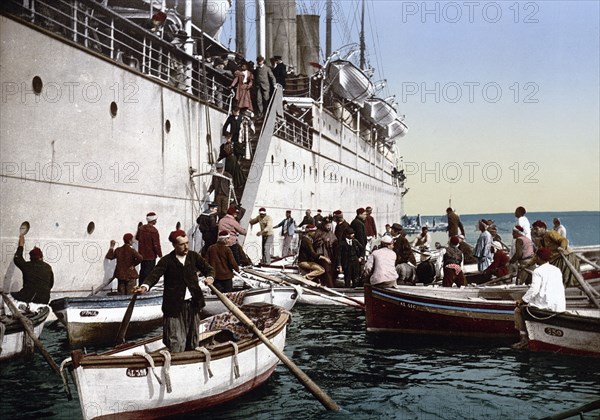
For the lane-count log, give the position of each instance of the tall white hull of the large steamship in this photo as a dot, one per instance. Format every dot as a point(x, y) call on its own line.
point(81, 177)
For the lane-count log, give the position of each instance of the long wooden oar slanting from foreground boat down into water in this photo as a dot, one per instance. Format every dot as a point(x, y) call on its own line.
point(314, 389)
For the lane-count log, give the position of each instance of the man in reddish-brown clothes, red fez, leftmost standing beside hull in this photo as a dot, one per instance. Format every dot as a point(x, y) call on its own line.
point(127, 258)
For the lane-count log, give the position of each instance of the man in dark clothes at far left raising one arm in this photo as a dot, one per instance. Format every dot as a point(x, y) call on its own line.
point(38, 277)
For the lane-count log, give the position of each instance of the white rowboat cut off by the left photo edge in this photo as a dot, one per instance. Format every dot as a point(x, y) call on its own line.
point(15, 340)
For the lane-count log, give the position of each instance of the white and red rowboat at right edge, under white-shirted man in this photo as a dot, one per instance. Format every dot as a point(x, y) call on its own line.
point(571, 332)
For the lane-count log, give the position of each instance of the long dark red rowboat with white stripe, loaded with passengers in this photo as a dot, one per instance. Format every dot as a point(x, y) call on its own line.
point(486, 311)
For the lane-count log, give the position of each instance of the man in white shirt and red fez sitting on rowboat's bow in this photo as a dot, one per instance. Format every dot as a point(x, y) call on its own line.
point(546, 292)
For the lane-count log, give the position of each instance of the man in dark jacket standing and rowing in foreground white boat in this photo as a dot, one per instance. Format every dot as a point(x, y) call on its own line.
point(182, 296)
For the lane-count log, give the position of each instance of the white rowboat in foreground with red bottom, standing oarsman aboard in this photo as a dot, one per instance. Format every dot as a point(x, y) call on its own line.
point(143, 380)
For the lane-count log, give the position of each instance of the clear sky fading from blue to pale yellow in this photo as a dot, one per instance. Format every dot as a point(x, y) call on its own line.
point(501, 98)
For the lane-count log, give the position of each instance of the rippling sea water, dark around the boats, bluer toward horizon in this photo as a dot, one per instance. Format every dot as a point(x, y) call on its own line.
point(369, 376)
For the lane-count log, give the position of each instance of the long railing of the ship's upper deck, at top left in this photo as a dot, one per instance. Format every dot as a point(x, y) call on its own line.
point(89, 24)
